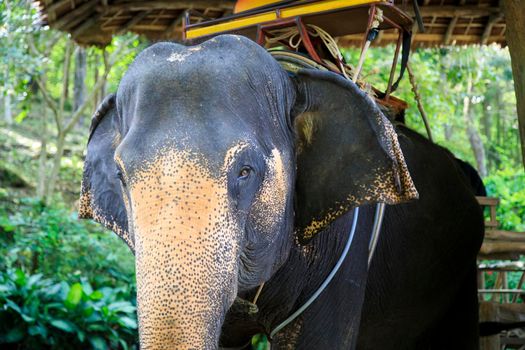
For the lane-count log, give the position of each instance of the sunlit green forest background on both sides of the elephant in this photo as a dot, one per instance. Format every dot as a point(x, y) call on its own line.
point(66, 283)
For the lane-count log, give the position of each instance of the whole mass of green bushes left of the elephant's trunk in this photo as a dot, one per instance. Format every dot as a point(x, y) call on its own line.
point(65, 283)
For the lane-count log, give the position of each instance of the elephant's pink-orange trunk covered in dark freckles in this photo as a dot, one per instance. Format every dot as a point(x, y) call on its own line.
point(186, 247)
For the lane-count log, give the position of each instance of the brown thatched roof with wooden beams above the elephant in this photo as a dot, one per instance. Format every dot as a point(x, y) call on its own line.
point(94, 22)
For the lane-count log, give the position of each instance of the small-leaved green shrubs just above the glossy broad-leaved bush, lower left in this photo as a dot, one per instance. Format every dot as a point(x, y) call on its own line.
point(51, 240)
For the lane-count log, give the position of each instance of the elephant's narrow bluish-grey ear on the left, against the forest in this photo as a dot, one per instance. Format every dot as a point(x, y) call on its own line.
point(101, 197)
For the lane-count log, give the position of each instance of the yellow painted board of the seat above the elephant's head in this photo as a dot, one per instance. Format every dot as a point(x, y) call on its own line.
point(269, 16)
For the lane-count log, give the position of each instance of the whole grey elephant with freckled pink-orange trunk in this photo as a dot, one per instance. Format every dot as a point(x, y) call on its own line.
point(228, 176)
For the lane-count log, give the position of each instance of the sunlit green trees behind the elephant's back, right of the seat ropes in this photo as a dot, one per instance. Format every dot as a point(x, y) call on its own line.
point(441, 76)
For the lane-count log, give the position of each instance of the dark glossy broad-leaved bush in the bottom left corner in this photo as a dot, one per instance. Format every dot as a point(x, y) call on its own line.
point(39, 313)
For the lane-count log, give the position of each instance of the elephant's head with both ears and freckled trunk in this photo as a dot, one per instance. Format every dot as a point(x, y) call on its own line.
point(210, 159)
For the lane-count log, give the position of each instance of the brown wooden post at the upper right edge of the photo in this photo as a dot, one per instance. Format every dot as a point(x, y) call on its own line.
point(515, 34)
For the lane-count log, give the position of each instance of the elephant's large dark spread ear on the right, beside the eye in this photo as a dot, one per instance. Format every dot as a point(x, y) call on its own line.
point(347, 152)
